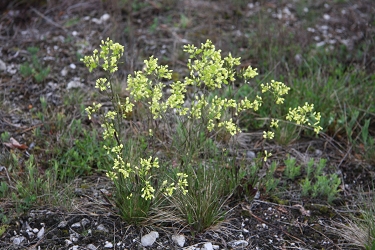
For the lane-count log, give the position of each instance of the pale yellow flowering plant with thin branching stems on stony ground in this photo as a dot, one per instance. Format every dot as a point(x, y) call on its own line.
point(192, 103)
